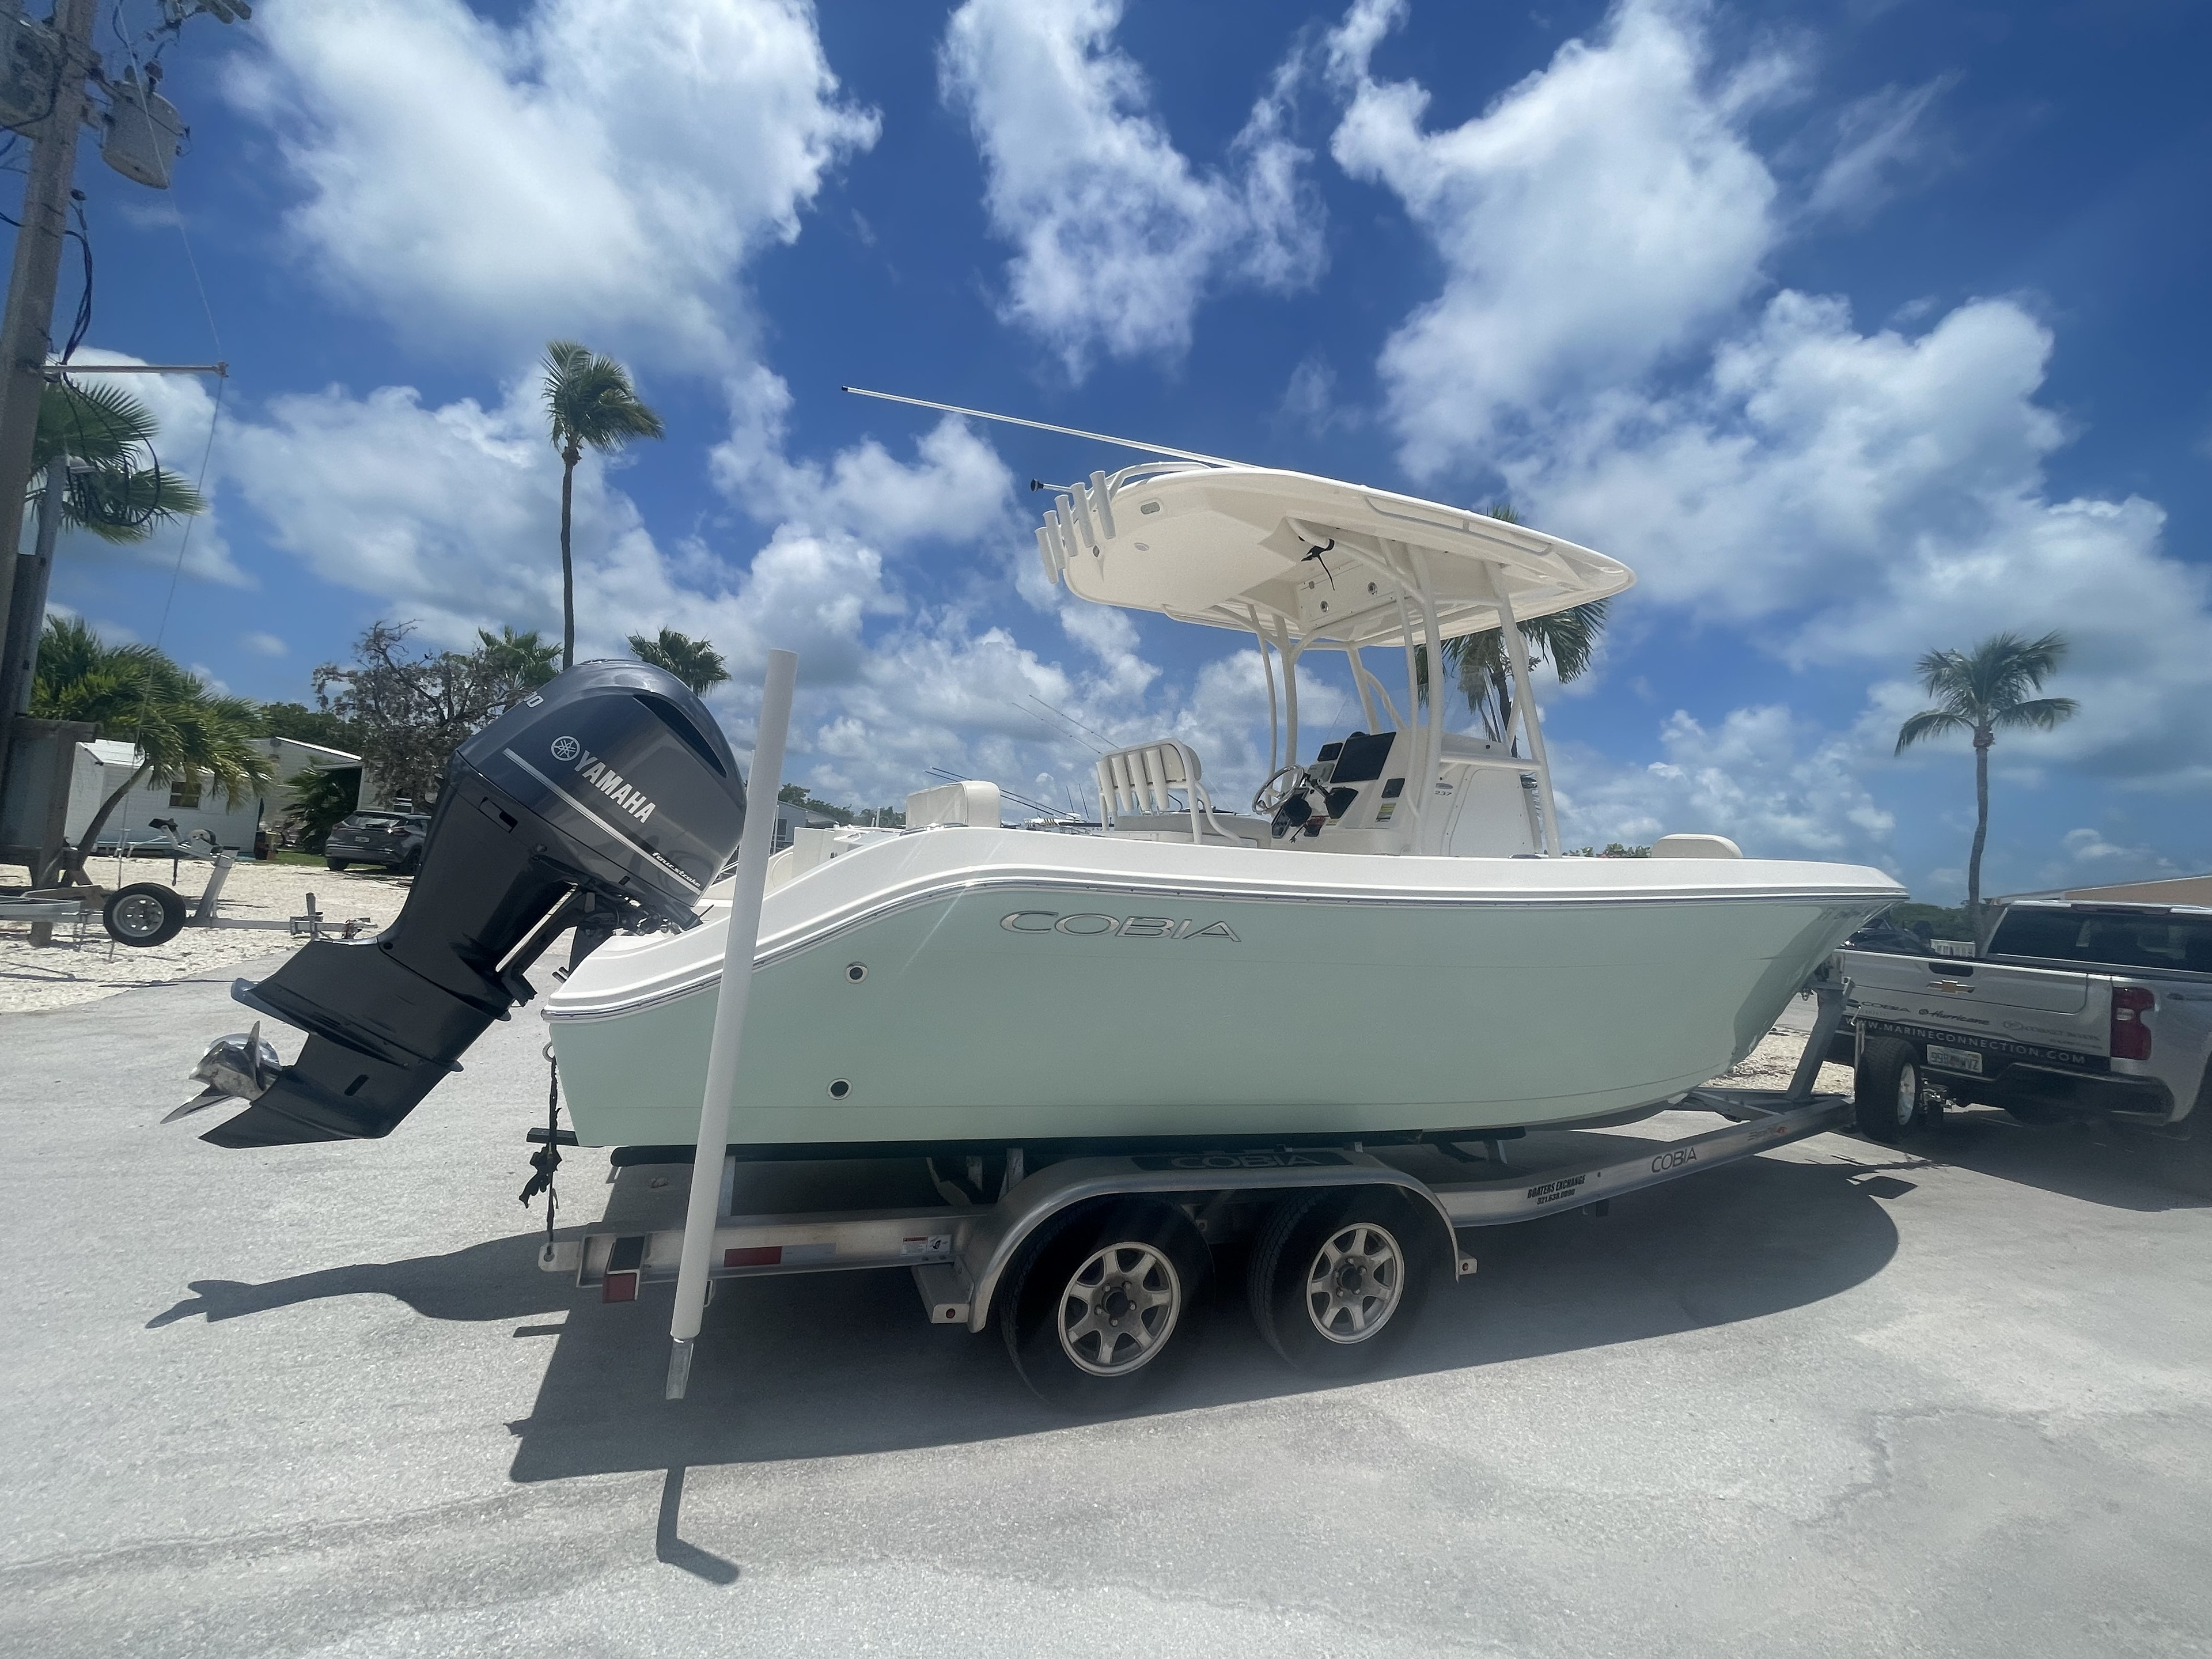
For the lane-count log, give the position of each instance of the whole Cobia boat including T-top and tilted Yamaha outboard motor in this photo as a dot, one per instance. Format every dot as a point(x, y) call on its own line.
point(1386, 943)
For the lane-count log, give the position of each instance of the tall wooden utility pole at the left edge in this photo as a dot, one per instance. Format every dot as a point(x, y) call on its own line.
point(28, 326)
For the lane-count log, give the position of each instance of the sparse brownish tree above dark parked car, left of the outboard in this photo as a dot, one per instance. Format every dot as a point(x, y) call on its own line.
point(415, 709)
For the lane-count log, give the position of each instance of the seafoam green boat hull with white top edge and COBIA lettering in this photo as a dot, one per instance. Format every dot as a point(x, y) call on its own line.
point(1001, 985)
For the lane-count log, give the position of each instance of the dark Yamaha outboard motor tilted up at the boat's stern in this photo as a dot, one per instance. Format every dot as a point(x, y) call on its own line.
point(609, 802)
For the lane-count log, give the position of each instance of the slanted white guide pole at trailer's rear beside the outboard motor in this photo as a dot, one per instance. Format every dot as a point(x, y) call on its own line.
point(753, 848)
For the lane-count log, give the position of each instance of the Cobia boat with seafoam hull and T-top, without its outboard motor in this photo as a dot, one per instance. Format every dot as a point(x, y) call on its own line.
point(1388, 943)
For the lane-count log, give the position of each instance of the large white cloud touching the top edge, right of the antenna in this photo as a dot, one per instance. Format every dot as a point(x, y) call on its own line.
point(1592, 220)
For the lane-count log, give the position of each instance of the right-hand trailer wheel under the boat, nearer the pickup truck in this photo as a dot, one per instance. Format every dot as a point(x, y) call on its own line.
point(1337, 1280)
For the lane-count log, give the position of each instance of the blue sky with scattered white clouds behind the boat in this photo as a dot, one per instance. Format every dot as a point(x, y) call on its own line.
point(1857, 331)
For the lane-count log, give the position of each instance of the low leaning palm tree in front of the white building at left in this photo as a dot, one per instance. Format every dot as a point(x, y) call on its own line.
point(138, 696)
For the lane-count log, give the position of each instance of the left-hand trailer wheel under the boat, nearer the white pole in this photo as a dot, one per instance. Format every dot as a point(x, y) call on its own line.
point(1107, 1306)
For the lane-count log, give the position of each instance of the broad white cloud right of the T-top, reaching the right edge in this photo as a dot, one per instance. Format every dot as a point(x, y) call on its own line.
point(1868, 497)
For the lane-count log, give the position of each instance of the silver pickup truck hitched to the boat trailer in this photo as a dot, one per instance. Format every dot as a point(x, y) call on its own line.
point(2074, 1010)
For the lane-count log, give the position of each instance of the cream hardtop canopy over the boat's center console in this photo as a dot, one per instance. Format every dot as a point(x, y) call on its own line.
point(1315, 559)
